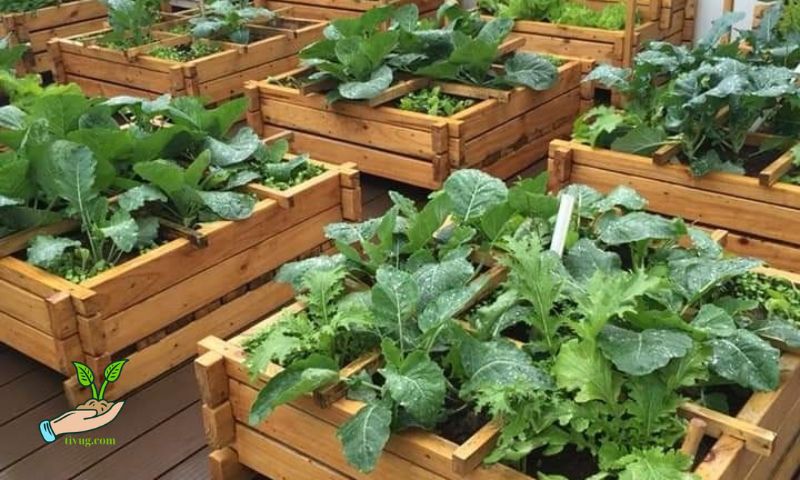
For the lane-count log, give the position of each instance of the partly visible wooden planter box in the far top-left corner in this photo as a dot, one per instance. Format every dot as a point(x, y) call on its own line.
point(39, 26)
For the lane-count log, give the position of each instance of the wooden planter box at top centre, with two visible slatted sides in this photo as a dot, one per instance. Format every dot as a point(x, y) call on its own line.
point(503, 133)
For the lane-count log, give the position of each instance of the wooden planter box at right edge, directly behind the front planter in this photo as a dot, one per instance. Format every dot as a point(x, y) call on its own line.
point(761, 213)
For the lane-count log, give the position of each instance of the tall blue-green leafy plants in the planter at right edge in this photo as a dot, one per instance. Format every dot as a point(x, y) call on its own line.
point(706, 100)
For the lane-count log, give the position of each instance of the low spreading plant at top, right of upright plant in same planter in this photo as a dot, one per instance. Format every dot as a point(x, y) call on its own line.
point(229, 19)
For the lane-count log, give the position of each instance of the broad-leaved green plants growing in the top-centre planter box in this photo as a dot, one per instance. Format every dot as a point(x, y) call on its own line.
point(362, 57)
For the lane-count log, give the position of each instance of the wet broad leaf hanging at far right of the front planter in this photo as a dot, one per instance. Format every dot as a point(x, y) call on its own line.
point(747, 360)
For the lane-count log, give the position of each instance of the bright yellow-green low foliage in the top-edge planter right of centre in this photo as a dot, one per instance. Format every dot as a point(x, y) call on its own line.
point(610, 17)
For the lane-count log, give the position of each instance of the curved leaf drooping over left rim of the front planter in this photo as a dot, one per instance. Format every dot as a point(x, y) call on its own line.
point(301, 378)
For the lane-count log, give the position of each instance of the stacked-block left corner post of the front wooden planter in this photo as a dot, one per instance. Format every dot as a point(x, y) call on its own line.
point(218, 422)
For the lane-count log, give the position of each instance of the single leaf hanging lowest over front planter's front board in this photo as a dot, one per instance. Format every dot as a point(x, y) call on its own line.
point(365, 434)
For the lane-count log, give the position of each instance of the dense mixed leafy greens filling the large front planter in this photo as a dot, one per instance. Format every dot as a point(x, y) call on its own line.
point(609, 340)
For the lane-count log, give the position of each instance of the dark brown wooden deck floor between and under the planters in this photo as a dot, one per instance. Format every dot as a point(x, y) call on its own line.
point(159, 434)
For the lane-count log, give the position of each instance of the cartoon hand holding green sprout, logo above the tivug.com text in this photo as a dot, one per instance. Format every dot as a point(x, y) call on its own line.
point(93, 414)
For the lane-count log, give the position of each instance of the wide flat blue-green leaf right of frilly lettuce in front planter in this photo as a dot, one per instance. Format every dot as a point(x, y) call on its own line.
point(640, 353)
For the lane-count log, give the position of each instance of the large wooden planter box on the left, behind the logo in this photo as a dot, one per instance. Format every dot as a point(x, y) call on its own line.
point(154, 308)
